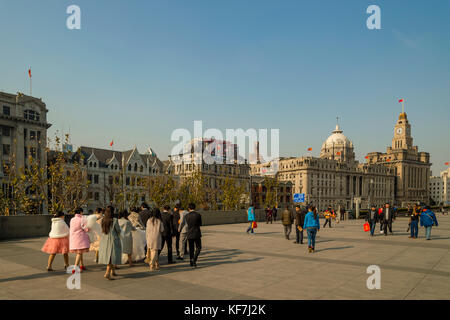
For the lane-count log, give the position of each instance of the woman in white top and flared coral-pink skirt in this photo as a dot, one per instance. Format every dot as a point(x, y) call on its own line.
point(58, 240)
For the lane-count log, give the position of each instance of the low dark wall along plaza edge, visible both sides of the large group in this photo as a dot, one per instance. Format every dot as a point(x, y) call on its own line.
point(29, 226)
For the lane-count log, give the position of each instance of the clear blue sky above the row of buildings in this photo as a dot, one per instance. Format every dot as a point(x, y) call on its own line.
point(137, 70)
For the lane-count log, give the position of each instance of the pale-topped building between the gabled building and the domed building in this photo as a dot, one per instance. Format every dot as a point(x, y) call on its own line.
point(226, 165)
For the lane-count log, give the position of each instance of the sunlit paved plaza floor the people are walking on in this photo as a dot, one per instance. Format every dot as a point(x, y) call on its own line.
point(236, 265)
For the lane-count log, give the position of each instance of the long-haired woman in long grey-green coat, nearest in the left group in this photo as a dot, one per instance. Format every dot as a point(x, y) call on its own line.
point(110, 250)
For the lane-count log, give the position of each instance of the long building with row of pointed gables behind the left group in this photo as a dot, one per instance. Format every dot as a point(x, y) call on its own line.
point(113, 172)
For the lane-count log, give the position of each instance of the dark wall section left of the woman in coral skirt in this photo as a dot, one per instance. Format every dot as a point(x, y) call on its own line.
point(26, 226)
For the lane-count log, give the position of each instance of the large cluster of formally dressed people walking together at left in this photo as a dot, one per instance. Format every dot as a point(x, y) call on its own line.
point(126, 237)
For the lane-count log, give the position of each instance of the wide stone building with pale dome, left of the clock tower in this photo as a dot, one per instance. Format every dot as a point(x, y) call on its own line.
point(335, 178)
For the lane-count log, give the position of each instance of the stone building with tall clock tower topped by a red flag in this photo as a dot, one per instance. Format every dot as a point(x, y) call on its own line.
point(411, 167)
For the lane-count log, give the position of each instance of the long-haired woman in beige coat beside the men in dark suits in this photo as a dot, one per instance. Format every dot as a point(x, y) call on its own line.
point(154, 231)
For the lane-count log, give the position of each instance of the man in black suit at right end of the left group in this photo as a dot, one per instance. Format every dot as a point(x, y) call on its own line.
point(194, 235)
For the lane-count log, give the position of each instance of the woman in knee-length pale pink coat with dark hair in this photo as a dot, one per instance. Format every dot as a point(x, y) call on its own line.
point(79, 239)
